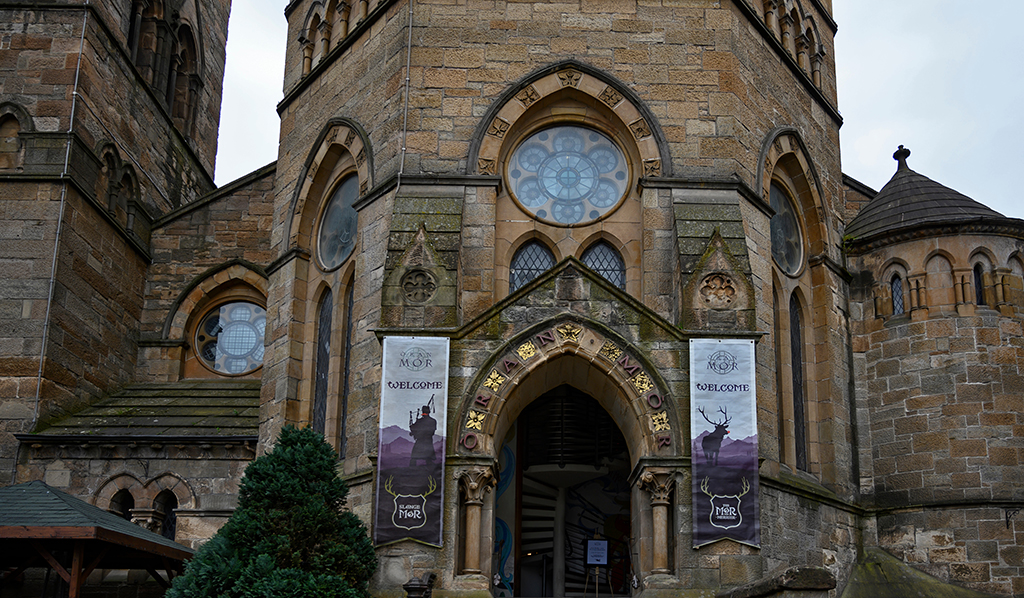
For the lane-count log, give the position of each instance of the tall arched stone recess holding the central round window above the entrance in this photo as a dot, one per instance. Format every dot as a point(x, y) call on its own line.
point(570, 101)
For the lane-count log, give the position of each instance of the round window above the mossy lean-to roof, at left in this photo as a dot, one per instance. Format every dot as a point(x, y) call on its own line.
point(230, 339)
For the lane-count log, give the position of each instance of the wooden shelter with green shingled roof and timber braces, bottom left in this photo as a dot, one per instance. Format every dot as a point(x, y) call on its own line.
point(44, 527)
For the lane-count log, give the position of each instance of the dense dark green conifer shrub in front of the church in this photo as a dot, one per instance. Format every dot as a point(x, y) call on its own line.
point(289, 536)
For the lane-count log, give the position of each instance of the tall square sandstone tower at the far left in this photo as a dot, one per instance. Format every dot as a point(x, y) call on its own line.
point(109, 115)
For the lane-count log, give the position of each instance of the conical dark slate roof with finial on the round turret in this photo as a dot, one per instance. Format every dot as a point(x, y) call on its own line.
point(911, 200)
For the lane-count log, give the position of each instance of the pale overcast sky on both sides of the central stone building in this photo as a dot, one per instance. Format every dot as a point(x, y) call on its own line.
point(944, 79)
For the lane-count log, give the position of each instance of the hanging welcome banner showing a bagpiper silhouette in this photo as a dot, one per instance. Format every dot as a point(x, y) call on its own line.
point(411, 450)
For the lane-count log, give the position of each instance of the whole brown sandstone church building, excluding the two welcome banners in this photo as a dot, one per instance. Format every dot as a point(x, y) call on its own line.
point(567, 192)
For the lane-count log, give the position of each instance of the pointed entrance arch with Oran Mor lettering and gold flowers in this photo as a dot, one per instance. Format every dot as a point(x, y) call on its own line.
point(588, 357)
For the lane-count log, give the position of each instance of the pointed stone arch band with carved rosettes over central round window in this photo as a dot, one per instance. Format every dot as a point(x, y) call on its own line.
point(590, 83)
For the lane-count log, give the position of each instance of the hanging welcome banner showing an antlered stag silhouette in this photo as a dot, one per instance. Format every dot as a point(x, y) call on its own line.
point(724, 442)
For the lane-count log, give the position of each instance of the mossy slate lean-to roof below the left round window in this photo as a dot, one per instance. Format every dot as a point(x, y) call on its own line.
point(192, 408)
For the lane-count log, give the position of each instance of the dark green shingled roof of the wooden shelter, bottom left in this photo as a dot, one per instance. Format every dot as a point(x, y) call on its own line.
point(35, 510)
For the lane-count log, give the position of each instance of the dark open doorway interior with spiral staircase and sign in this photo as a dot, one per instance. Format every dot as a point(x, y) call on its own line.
point(564, 482)
